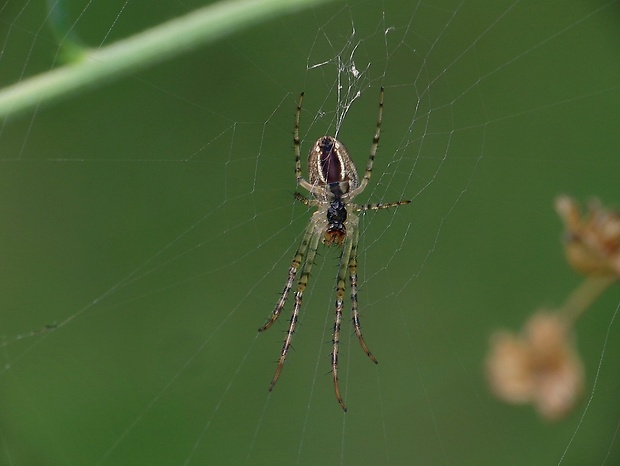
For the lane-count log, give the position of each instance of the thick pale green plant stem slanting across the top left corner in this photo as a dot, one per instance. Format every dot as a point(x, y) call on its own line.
point(154, 45)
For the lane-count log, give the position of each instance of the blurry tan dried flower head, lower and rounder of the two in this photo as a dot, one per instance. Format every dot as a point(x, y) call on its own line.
point(539, 366)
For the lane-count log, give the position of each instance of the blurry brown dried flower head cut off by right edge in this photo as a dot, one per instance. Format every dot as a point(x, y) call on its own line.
point(592, 241)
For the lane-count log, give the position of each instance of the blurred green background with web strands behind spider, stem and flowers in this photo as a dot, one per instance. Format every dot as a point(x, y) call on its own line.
point(148, 226)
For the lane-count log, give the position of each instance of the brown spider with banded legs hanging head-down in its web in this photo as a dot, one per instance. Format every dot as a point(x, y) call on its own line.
point(333, 183)
